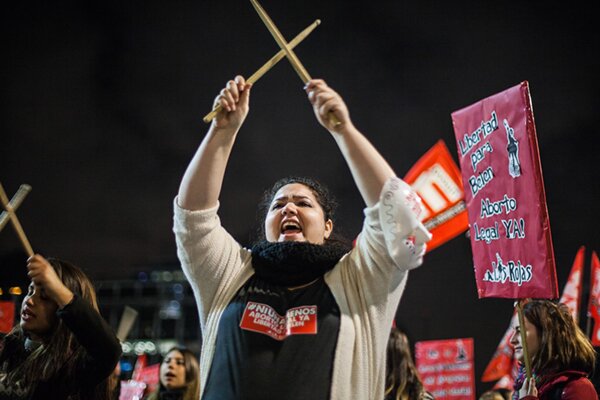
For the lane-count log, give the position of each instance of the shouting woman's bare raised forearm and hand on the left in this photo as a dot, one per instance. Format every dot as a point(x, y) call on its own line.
point(202, 181)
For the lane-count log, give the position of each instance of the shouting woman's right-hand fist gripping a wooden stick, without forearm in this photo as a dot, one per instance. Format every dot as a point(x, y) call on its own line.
point(325, 100)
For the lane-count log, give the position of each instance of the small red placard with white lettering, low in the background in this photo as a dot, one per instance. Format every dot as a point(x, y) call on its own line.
point(447, 368)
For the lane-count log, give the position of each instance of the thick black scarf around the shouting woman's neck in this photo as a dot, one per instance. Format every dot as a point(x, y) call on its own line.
point(295, 263)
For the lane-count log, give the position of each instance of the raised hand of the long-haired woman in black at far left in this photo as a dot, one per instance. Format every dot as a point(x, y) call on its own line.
point(44, 277)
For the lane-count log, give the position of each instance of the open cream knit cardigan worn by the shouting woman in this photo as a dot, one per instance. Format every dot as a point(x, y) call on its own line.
point(366, 283)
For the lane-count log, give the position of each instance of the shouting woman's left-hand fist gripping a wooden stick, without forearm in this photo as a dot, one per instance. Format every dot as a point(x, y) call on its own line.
point(234, 101)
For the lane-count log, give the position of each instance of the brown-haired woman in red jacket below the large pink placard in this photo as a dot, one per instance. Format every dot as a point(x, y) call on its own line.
point(562, 357)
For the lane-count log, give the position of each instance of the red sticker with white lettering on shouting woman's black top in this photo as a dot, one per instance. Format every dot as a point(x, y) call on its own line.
point(262, 318)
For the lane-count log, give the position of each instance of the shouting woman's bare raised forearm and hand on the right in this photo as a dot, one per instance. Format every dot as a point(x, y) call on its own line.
point(369, 169)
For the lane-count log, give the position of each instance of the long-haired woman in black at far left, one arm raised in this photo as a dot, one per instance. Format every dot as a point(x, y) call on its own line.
point(62, 348)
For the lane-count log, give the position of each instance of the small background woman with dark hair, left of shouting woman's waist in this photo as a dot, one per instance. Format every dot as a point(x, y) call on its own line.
point(179, 376)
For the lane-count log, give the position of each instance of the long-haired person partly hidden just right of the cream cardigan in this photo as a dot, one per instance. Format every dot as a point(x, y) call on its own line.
point(402, 380)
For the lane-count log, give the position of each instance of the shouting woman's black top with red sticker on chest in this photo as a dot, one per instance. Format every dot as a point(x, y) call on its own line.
point(273, 342)
